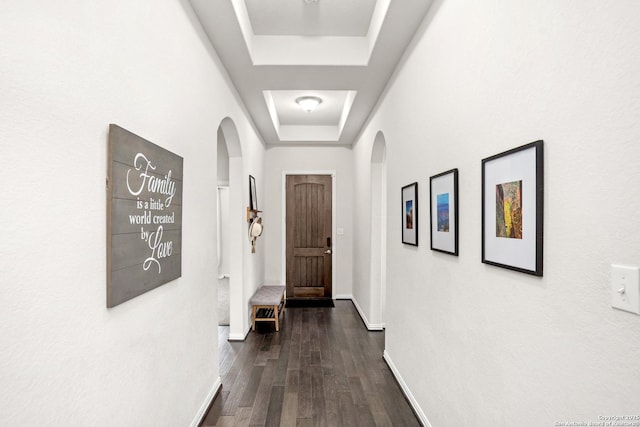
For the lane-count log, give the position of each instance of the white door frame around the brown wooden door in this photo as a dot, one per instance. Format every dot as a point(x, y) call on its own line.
point(334, 241)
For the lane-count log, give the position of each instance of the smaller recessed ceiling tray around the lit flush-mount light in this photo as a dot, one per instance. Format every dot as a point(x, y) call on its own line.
point(324, 124)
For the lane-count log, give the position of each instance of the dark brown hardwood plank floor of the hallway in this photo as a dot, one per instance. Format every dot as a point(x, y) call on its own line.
point(322, 369)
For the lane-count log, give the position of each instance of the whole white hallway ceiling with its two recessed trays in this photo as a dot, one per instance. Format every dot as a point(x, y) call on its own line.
point(343, 51)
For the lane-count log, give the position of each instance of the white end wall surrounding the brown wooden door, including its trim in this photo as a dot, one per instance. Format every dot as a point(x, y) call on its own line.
point(314, 159)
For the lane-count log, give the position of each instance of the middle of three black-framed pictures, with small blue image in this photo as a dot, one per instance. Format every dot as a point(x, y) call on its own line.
point(443, 190)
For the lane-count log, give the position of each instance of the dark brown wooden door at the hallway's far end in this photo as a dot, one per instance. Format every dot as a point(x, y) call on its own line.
point(309, 243)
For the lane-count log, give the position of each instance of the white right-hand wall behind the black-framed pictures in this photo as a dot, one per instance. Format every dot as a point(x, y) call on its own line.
point(483, 346)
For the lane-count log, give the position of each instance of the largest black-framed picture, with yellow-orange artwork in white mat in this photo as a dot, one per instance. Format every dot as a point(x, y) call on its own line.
point(512, 209)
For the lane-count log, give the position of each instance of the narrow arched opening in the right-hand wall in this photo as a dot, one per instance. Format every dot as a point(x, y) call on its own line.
point(378, 232)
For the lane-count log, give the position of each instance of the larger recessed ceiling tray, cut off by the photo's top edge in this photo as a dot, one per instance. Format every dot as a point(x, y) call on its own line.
point(331, 32)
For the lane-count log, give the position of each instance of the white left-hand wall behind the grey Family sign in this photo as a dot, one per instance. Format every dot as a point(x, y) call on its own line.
point(68, 69)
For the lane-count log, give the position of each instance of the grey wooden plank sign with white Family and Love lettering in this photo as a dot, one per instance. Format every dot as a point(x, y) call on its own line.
point(144, 216)
